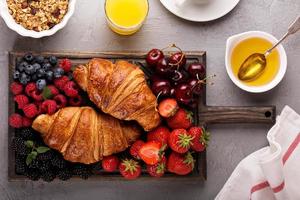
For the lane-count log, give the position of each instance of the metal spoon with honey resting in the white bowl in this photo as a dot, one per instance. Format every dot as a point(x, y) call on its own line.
point(256, 63)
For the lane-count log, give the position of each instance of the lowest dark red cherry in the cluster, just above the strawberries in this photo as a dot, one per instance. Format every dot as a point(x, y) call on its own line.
point(183, 93)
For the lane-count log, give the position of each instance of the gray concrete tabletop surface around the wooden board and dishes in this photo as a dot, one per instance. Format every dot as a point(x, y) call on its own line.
point(87, 31)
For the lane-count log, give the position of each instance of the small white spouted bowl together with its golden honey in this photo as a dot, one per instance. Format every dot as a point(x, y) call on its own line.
point(240, 46)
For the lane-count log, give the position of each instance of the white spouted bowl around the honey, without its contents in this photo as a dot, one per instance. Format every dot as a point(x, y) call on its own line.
point(234, 40)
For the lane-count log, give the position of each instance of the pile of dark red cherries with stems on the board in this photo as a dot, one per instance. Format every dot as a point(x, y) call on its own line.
point(173, 77)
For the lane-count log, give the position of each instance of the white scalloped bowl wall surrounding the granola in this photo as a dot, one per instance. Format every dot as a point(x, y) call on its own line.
point(10, 22)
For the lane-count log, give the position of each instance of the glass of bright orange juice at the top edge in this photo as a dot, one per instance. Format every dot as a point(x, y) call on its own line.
point(126, 17)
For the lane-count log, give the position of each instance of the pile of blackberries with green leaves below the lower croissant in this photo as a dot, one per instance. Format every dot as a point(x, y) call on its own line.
point(45, 164)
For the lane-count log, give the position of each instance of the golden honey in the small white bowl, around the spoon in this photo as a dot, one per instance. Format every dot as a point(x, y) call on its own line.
point(256, 45)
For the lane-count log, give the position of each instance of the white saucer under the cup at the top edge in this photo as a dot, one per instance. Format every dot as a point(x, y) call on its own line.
point(194, 10)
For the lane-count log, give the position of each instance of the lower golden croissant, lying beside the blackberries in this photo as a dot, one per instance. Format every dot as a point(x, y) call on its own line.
point(84, 136)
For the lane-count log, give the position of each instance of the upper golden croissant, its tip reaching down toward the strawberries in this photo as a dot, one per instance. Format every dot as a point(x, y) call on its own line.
point(120, 90)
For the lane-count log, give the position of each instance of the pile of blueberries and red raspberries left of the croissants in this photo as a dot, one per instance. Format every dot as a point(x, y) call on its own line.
point(41, 85)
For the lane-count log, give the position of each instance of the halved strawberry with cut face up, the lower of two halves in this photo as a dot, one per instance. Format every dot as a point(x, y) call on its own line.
point(151, 152)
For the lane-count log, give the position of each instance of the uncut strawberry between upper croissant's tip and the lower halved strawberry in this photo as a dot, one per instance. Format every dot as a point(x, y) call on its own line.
point(160, 134)
